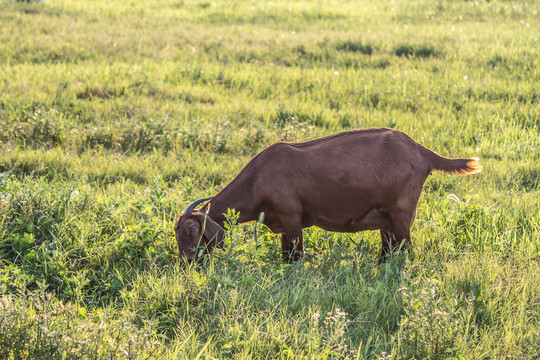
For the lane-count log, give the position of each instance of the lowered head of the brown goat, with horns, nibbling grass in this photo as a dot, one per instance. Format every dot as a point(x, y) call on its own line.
point(196, 231)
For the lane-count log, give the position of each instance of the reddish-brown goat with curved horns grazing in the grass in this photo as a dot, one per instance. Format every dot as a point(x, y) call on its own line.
point(352, 181)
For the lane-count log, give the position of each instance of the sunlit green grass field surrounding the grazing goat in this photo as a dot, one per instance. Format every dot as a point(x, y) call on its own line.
point(114, 115)
